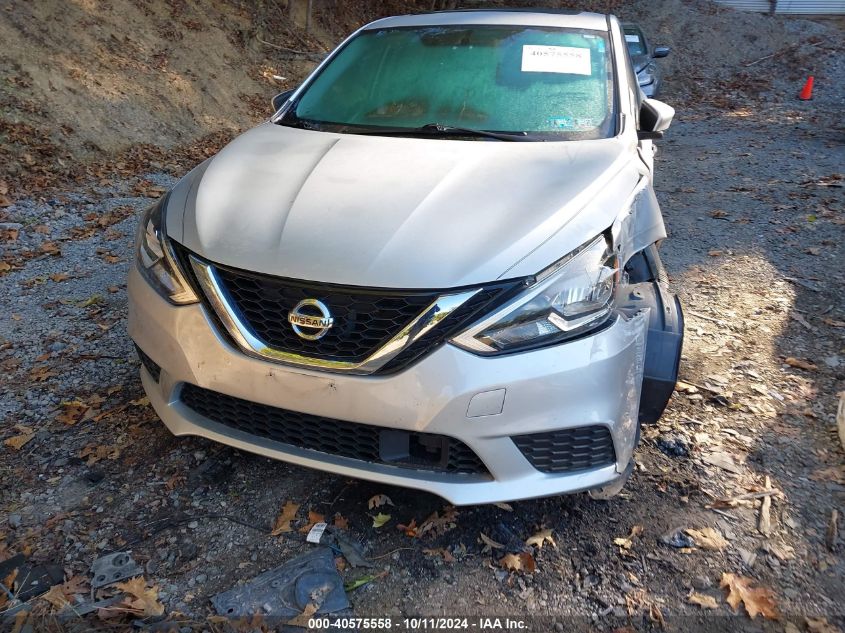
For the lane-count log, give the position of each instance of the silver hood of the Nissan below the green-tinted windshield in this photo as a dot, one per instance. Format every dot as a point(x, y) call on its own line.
point(387, 211)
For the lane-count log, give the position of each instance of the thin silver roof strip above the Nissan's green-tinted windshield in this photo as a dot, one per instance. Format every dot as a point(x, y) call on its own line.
point(533, 17)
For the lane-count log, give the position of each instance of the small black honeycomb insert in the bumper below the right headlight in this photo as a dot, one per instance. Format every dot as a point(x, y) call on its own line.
point(568, 450)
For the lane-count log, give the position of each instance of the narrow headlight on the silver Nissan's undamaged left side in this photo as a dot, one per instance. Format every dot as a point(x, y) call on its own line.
point(155, 258)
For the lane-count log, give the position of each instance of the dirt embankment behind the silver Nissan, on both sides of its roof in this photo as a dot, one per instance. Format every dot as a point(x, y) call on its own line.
point(86, 79)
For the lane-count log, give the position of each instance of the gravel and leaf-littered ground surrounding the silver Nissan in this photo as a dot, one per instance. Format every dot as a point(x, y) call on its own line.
point(750, 182)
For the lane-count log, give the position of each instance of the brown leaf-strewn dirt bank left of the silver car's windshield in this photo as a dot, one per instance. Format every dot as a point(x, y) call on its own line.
point(86, 79)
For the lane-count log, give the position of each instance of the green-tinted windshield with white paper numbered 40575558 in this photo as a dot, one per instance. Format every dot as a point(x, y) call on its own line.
point(554, 84)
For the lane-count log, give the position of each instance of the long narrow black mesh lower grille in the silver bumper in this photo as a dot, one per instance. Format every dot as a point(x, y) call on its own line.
point(365, 442)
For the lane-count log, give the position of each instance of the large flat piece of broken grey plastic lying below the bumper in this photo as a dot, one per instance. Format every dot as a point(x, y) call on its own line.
point(286, 590)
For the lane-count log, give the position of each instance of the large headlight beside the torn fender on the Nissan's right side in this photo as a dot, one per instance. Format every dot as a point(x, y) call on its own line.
point(567, 299)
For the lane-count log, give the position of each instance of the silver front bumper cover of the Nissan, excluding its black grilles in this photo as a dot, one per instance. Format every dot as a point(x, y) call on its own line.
point(594, 381)
